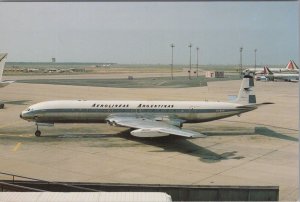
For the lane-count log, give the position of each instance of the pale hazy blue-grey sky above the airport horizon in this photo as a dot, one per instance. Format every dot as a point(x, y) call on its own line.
point(141, 33)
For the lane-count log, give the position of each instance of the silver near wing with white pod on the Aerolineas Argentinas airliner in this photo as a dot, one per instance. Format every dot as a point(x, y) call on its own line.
point(146, 127)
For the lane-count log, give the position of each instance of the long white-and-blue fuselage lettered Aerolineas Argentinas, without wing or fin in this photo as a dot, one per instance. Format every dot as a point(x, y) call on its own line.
point(93, 111)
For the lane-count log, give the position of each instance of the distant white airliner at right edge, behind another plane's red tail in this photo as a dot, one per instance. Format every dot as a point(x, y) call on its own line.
point(290, 67)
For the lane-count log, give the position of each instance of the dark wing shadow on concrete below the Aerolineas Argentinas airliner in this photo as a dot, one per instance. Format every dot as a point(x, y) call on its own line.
point(182, 145)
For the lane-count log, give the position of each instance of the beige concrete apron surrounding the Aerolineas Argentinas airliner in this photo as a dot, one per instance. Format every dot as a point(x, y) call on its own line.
point(258, 148)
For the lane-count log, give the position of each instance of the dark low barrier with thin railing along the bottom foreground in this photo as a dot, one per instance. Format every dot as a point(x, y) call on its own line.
point(177, 192)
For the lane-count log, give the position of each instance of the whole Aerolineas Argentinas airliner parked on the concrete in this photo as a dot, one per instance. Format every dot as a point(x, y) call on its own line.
point(146, 118)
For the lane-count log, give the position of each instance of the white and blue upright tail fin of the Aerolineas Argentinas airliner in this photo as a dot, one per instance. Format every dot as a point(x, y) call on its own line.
point(246, 94)
